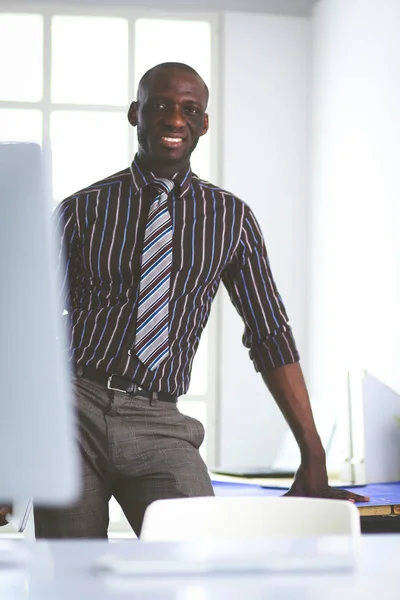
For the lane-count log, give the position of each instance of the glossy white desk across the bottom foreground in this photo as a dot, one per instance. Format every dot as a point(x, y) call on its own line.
point(63, 570)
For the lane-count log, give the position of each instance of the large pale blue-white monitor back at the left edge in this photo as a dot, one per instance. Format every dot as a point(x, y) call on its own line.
point(38, 457)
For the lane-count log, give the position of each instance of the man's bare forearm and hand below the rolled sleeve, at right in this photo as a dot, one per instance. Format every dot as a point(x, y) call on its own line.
point(288, 388)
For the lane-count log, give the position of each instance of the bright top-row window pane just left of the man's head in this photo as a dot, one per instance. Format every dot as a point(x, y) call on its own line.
point(89, 60)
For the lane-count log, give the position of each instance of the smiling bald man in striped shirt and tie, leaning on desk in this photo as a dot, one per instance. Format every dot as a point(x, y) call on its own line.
point(136, 319)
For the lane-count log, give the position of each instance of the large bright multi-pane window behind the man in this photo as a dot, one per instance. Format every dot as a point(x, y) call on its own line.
point(77, 71)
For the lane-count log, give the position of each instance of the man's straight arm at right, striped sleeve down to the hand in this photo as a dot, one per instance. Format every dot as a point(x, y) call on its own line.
point(252, 289)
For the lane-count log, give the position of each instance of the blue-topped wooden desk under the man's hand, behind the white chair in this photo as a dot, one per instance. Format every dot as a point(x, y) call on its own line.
point(380, 515)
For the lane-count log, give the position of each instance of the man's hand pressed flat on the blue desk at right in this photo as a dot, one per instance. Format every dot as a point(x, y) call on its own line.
point(311, 480)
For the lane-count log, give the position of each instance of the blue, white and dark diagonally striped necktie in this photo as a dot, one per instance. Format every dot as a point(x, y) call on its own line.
point(152, 326)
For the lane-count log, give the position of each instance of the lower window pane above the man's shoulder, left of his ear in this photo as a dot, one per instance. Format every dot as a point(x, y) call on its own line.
point(86, 147)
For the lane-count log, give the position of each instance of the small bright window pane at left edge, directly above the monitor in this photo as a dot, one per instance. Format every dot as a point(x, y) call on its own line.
point(21, 125)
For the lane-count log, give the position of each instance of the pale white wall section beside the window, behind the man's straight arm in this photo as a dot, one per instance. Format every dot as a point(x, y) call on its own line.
point(265, 135)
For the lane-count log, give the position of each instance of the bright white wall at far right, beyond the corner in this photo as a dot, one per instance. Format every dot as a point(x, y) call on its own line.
point(355, 251)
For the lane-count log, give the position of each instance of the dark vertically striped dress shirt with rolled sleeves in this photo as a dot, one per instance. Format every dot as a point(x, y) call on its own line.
point(215, 238)
